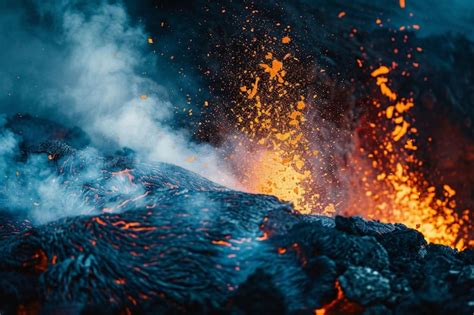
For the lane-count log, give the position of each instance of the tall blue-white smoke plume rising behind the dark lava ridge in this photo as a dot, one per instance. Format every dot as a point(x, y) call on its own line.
point(89, 65)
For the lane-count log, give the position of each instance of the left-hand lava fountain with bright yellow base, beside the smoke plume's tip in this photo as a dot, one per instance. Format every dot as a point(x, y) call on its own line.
point(271, 121)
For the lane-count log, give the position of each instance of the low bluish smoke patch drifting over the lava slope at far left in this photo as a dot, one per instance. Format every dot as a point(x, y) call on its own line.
point(44, 188)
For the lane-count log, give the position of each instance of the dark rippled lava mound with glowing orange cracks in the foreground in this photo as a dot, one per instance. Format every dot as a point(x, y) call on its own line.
point(155, 238)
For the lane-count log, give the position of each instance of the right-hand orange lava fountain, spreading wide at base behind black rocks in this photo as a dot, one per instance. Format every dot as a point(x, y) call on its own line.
point(394, 191)
